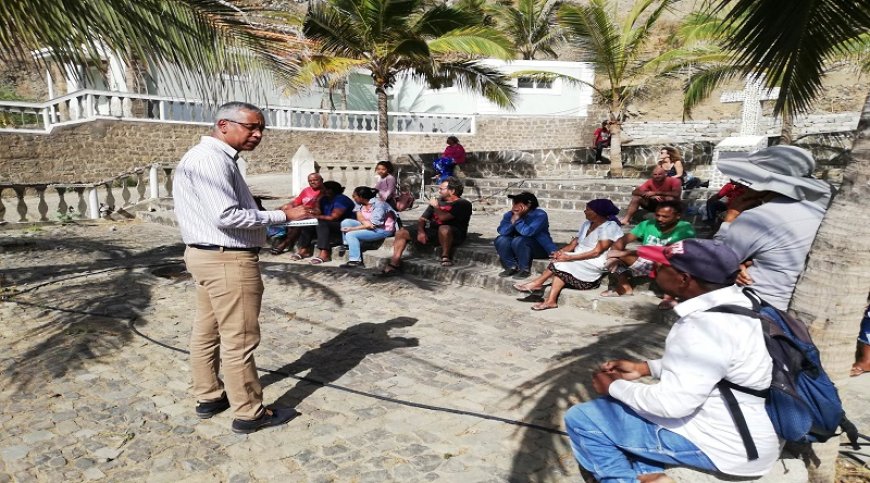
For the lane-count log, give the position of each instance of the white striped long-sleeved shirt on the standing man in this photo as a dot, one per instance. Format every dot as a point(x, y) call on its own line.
point(213, 204)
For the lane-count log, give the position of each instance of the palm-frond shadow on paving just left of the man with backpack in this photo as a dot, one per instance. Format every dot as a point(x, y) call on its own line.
point(543, 456)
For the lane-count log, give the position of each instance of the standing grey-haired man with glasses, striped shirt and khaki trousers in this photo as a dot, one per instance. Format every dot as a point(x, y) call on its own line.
point(224, 230)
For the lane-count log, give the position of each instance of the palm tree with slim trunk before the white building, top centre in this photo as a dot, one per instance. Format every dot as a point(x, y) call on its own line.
point(435, 44)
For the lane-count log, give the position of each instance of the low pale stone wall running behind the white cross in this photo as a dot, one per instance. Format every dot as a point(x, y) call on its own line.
point(716, 130)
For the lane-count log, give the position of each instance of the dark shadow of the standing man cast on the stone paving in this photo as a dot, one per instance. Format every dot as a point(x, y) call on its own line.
point(337, 356)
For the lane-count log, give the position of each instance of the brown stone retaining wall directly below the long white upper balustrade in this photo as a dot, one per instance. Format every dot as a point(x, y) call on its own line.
point(98, 150)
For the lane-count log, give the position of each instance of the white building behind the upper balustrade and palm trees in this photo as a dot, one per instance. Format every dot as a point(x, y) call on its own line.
point(557, 97)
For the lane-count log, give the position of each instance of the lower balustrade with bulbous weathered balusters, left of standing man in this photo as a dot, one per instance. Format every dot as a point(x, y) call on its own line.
point(34, 201)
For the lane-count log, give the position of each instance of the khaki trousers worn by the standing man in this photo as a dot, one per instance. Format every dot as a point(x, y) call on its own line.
point(229, 291)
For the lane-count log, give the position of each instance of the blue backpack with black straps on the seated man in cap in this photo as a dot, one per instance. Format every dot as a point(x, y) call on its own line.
point(802, 402)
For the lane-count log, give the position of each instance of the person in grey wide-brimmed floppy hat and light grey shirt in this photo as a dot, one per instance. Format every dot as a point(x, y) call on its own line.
point(771, 227)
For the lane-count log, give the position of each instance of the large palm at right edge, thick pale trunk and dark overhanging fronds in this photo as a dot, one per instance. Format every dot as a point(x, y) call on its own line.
point(792, 41)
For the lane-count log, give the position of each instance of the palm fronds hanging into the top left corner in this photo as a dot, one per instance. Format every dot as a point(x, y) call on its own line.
point(206, 37)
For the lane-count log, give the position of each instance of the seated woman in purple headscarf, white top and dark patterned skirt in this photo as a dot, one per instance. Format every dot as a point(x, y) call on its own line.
point(580, 264)
